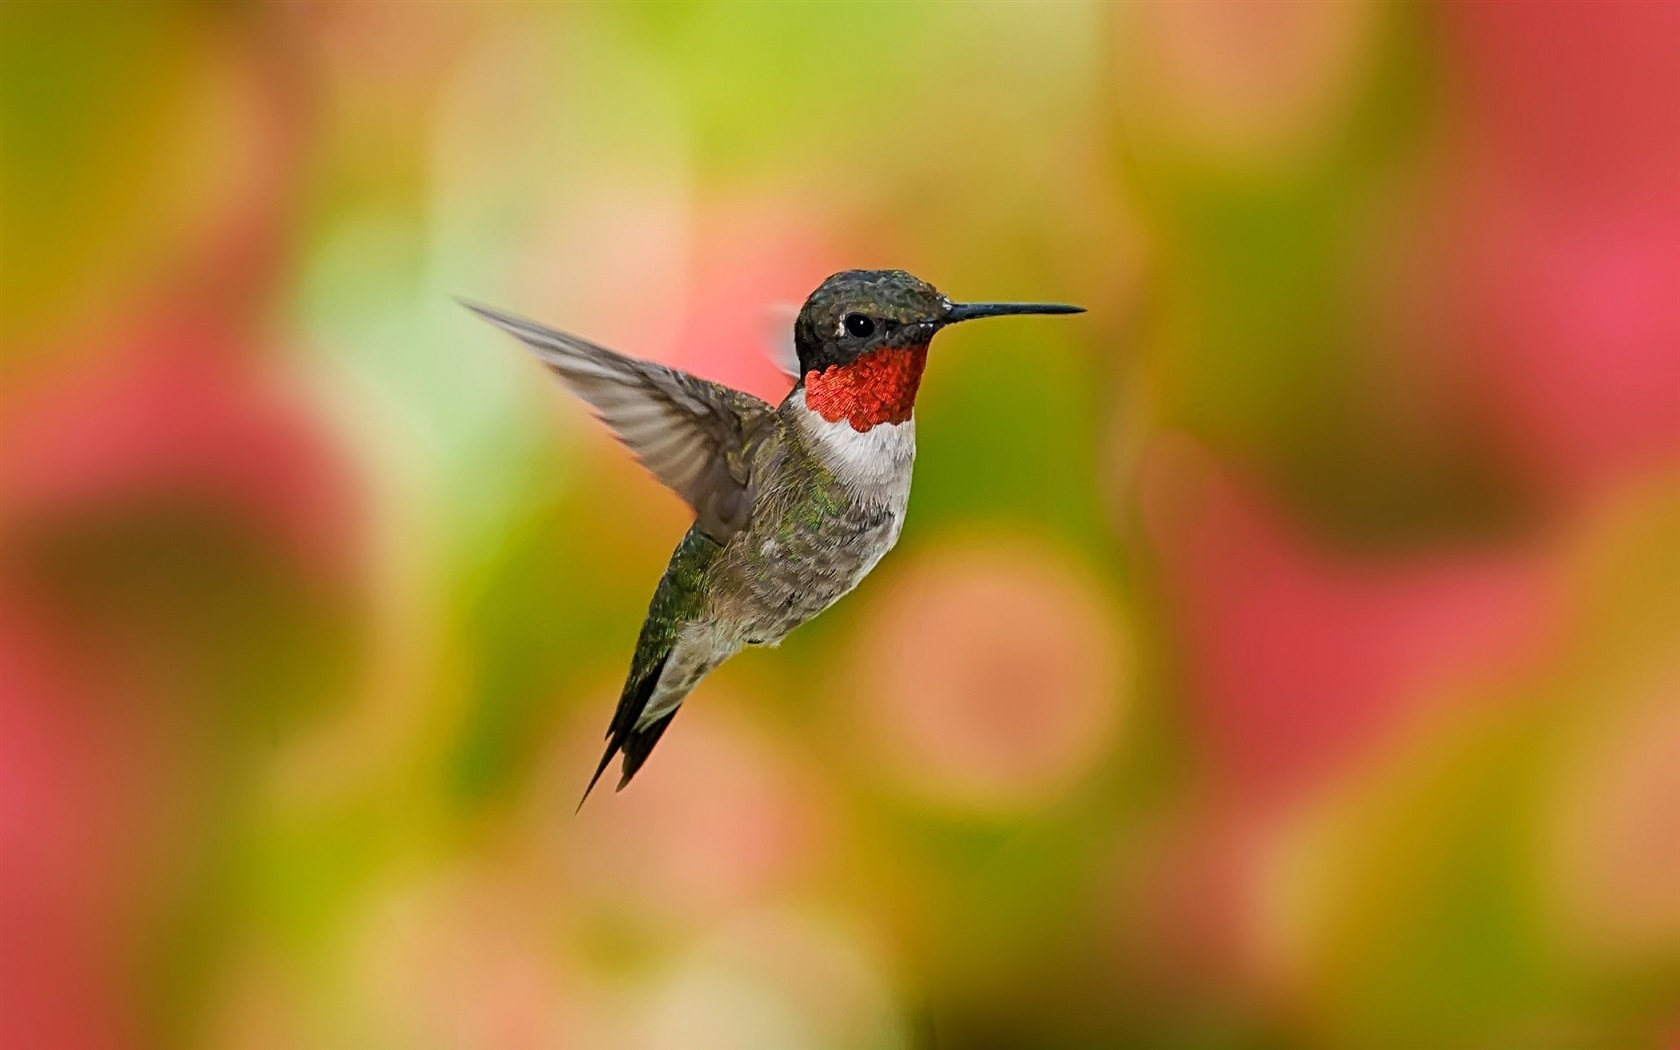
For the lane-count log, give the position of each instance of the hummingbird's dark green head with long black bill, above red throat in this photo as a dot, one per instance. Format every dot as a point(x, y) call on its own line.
point(859, 312)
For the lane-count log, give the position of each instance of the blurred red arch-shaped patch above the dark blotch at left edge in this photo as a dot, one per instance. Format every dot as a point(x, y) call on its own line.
point(176, 412)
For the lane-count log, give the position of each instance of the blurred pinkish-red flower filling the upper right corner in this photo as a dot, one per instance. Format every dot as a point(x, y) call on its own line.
point(1567, 231)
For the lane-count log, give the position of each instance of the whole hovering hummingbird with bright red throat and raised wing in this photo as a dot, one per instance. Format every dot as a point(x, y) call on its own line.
point(794, 503)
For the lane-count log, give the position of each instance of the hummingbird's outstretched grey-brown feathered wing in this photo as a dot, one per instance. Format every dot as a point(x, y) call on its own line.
point(693, 434)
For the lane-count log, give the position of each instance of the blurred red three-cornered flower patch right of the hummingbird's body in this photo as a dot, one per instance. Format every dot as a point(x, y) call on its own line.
point(1299, 659)
